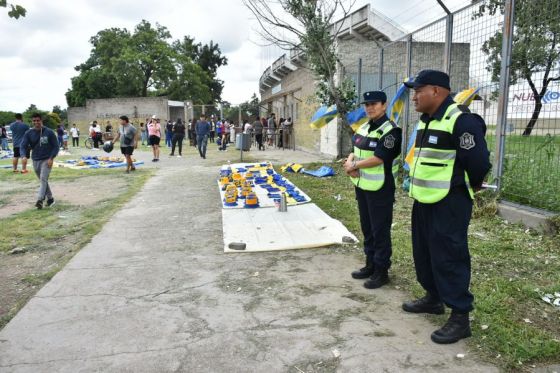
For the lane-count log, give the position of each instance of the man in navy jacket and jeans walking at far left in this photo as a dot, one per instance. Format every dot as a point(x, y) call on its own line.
point(44, 148)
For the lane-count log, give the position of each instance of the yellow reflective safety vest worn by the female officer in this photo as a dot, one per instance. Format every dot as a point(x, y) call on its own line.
point(365, 142)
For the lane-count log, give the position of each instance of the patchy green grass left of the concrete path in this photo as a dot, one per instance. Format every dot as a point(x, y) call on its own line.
point(73, 226)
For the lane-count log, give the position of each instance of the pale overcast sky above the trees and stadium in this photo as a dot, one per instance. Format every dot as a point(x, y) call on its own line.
point(38, 53)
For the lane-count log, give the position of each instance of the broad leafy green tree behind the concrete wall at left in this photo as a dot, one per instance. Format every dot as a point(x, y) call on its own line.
point(147, 63)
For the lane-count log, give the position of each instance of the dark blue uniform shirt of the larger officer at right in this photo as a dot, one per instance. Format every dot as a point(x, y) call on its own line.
point(472, 156)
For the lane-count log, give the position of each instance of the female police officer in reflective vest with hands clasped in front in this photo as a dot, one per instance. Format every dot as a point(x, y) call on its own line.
point(372, 168)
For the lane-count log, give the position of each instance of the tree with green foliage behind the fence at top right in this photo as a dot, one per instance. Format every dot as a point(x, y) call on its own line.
point(535, 47)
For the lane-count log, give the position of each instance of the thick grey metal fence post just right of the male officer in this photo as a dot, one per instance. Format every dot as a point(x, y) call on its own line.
point(501, 124)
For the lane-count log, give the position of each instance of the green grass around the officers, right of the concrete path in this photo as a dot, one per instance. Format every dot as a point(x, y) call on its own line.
point(511, 267)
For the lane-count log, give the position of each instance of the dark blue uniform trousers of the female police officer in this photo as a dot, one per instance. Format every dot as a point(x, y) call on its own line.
point(376, 219)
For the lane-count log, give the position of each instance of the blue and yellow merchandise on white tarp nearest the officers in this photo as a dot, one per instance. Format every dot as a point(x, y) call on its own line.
point(254, 185)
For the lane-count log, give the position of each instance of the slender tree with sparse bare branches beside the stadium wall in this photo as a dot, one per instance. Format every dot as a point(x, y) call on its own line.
point(309, 29)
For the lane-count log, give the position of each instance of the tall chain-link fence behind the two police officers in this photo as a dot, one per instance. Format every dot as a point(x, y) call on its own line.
point(522, 112)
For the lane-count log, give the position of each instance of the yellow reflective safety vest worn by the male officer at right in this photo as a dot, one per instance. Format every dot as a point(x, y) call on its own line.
point(434, 158)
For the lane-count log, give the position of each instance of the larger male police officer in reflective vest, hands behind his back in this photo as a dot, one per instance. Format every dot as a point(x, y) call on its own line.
point(450, 162)
